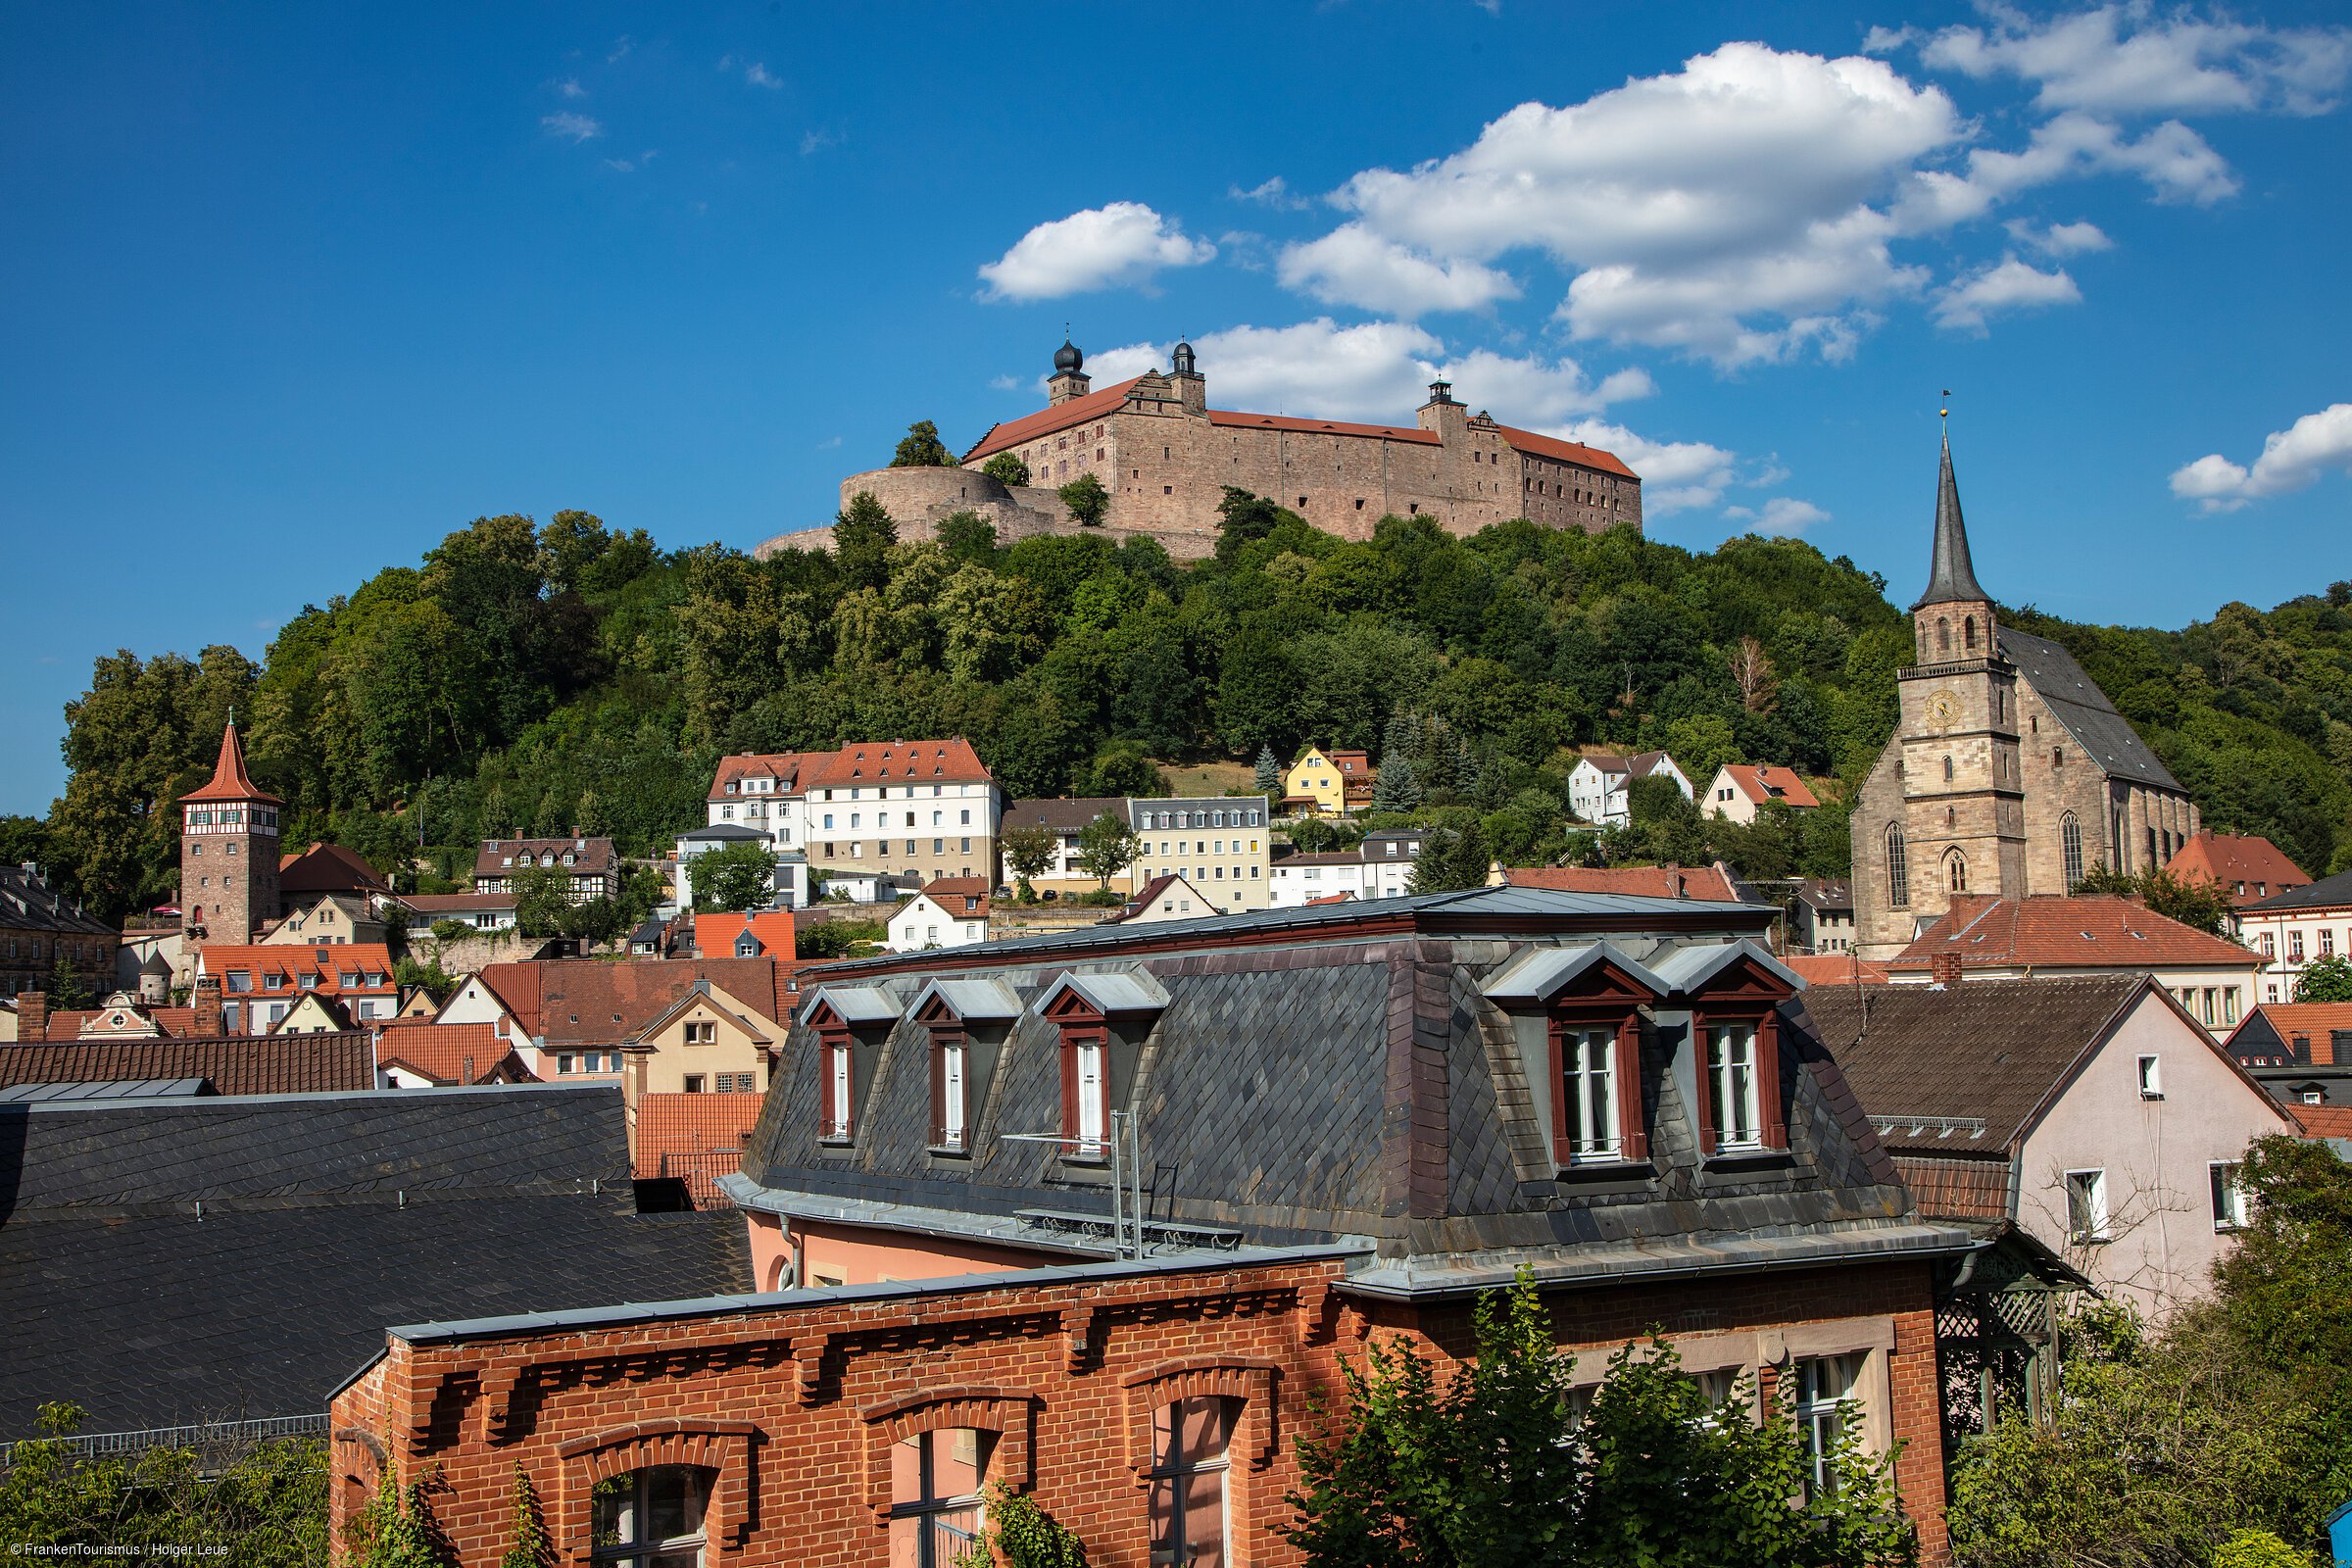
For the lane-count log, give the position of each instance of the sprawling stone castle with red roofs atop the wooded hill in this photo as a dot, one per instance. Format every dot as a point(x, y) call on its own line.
point(1168, 457)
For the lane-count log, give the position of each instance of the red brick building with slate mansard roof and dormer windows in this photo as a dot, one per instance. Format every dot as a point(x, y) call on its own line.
point(1100, 1214)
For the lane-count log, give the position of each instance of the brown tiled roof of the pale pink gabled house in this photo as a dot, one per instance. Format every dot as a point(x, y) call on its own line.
point(1986, 1050)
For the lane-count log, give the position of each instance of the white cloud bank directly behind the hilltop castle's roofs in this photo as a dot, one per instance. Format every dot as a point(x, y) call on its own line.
point(1372, 373)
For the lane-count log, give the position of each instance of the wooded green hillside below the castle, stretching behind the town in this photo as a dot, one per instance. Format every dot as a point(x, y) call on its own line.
point(568, 676)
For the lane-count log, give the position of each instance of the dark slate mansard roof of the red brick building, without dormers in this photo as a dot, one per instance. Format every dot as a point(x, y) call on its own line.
point(1337, 1080)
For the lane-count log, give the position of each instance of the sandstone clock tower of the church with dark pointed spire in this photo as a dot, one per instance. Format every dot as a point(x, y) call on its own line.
point(1963, 824)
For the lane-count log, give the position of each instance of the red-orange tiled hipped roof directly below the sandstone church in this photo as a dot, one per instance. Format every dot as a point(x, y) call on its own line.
point(2064, 932)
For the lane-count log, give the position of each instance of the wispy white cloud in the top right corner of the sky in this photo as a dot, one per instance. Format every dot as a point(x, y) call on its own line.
point(2134, 60)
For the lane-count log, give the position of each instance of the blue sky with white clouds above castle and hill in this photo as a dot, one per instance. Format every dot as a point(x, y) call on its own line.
point(288, 293)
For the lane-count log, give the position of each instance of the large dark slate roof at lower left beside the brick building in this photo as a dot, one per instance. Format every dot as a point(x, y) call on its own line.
point(323, 1221)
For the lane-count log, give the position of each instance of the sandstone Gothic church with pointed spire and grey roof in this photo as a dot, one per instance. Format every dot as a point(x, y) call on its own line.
point(2010, 772)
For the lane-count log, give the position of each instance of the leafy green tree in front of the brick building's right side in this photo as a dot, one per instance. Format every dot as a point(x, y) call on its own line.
point(1490, 1468)
